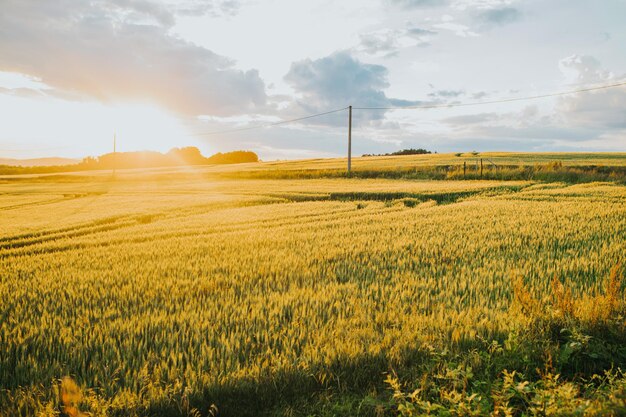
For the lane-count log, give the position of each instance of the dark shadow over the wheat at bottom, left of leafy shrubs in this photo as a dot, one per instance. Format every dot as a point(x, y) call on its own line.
point(354, 386)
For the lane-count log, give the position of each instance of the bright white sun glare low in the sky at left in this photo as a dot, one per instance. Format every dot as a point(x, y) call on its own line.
point(78, 129)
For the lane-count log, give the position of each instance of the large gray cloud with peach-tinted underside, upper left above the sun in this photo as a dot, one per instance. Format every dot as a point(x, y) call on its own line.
point(119, 50)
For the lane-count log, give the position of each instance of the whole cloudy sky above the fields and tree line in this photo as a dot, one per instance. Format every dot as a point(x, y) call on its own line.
point(164, 74)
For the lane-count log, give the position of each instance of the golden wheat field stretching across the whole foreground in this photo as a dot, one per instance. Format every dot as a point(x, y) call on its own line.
point(179, 293)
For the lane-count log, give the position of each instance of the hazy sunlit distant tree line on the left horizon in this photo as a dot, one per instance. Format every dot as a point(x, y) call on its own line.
point(145, 159)
